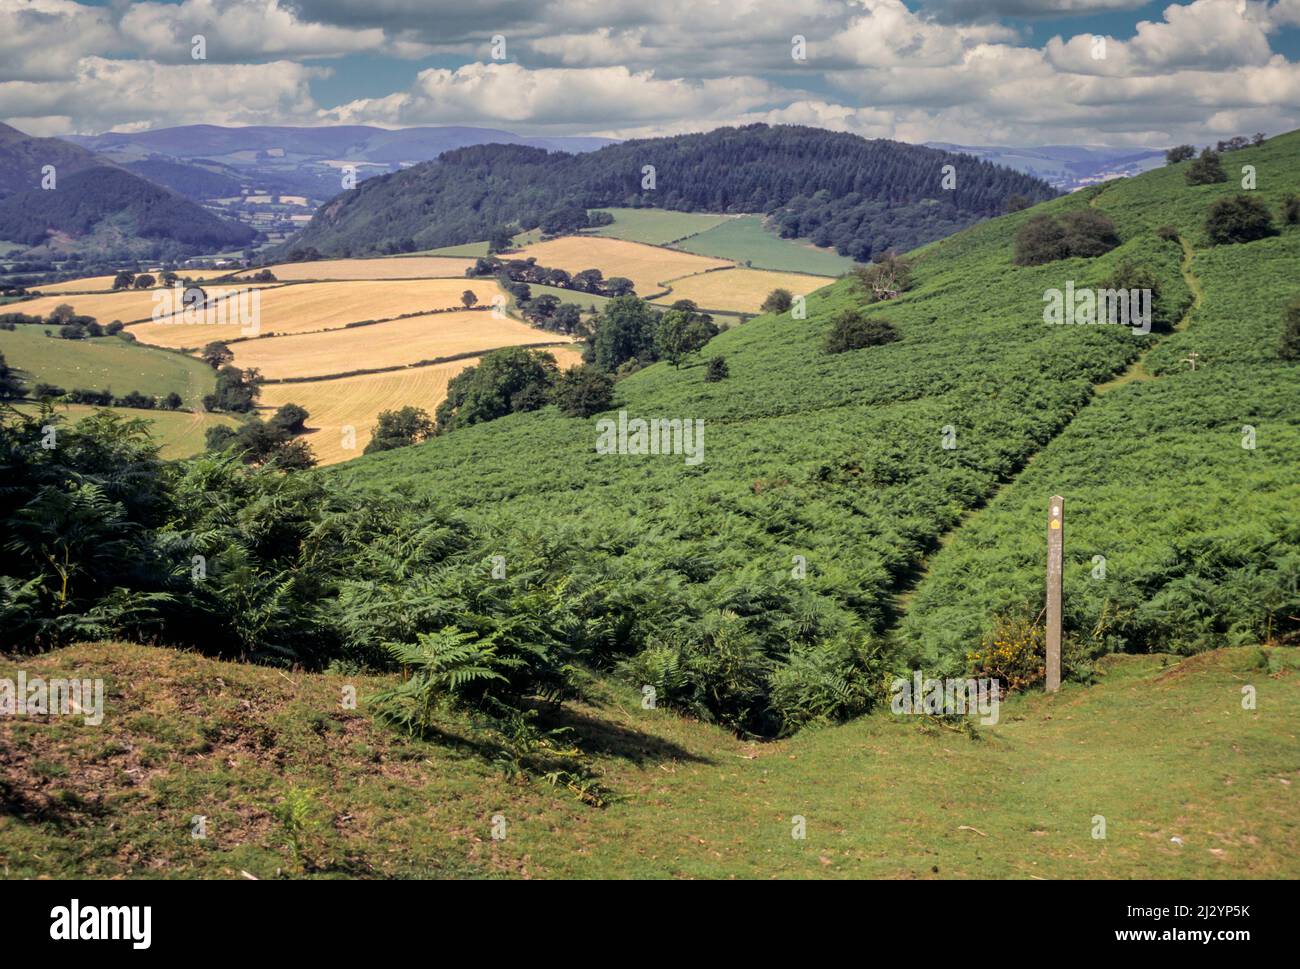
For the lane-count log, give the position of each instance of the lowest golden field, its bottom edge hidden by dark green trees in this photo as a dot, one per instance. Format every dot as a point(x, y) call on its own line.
point(357, 403)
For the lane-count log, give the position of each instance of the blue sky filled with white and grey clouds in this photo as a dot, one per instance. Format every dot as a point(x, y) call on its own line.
point(973, 72)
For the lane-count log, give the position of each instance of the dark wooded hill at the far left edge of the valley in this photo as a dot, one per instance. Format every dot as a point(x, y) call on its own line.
point(96, 206)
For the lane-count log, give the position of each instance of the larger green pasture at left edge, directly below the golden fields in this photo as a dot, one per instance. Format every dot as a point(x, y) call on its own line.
point(105, 364)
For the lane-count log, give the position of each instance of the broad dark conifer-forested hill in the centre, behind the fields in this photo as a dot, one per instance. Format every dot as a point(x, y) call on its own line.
point(835, 189)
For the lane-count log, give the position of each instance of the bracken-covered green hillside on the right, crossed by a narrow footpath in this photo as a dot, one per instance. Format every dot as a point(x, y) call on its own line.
point(840, 460)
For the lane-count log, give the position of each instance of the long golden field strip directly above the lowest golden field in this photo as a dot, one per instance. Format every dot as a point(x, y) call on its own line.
point(385, 344)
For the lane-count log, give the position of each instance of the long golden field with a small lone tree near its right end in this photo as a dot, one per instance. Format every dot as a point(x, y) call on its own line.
point(309, 308)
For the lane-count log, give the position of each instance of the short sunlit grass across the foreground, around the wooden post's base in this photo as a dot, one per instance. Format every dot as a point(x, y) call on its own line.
point(292, 785)
